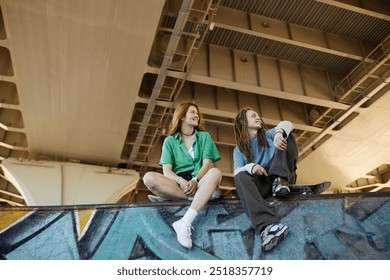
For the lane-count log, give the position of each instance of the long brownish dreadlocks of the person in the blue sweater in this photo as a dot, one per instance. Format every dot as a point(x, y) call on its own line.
point(242, 134)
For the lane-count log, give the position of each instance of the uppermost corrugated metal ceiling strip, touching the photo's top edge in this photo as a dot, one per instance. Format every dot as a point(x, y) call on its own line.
point(319, 16)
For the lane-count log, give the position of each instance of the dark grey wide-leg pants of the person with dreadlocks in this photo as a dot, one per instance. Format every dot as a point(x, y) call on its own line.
point(253, 190)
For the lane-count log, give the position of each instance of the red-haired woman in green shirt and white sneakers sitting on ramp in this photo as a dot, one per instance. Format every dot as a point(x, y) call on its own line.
point(187, 157)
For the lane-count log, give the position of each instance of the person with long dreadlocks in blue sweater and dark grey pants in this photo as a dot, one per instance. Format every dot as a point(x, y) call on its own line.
point(264, 165)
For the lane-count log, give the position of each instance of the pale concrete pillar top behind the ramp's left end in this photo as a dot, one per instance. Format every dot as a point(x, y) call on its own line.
point(65, 183)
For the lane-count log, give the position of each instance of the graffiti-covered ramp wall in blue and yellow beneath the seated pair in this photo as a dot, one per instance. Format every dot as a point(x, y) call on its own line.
point(344, 226)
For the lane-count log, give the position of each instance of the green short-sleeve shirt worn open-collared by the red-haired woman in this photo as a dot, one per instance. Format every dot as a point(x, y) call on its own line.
point(175, 152)
